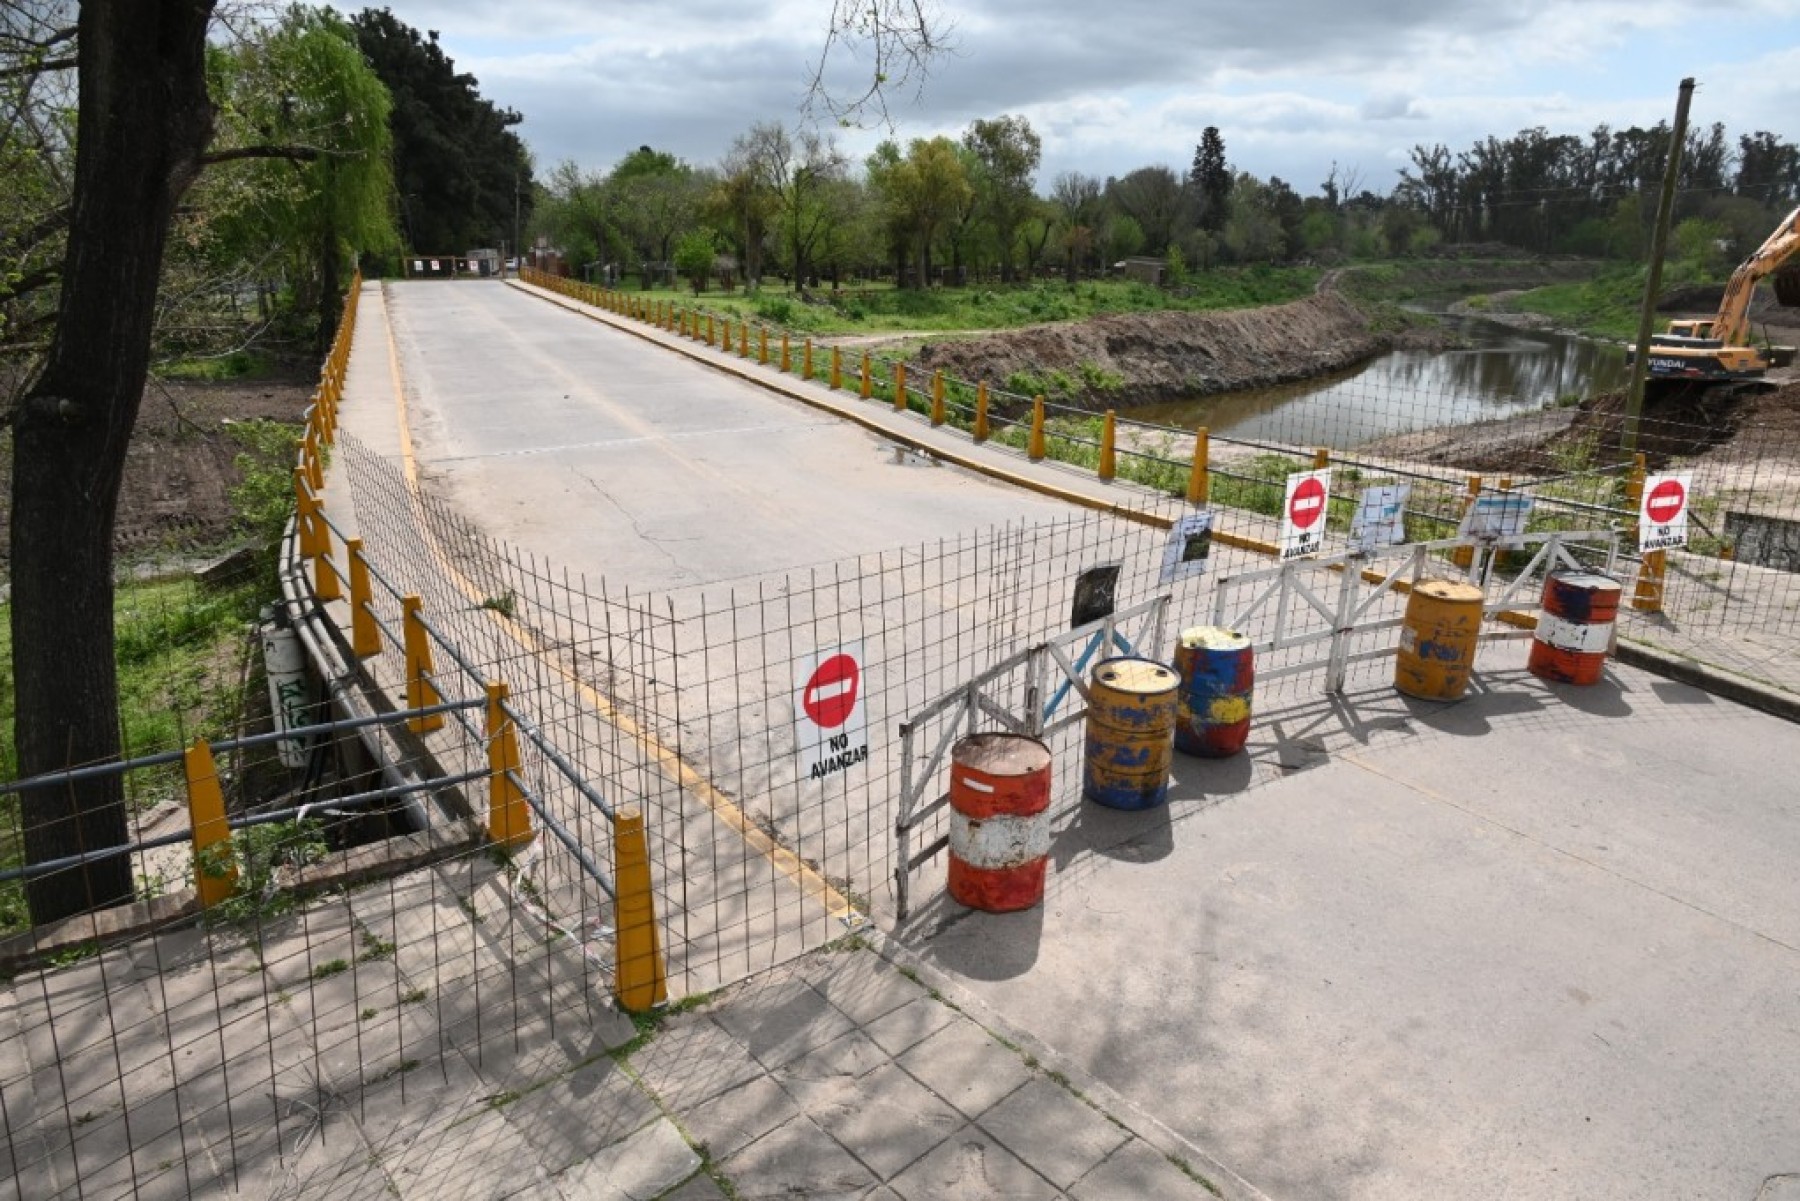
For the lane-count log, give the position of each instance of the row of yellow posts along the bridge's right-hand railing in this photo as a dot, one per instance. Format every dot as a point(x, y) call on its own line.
point(672, 318)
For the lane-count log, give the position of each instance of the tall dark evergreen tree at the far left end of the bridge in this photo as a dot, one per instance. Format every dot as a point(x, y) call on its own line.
point(462, 174)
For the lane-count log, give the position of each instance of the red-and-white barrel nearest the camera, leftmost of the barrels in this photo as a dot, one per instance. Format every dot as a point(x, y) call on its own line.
point(1000, 822)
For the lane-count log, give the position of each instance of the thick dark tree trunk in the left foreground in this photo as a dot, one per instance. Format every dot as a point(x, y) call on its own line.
point(143, 125)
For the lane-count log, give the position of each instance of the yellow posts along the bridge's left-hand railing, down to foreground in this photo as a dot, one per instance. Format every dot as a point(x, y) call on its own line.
point(640, 977)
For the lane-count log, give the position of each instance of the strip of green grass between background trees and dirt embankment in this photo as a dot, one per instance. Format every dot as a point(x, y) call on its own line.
point(883, 309)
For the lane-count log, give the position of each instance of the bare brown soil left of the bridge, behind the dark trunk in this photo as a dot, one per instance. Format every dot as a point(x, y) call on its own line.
point(183, 464)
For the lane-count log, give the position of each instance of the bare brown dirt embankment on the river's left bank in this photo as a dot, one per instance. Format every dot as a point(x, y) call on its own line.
point(1131, 359)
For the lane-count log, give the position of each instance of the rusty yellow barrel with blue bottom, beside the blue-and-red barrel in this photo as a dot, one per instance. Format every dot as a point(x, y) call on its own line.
point(1131, 727)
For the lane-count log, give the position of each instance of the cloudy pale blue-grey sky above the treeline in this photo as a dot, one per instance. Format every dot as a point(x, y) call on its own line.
point(1113, 86)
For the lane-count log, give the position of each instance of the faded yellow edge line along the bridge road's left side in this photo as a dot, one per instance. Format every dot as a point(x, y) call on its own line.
point(669, 763)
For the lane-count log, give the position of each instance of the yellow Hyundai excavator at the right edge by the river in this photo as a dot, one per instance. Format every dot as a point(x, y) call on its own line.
point(1716, 350)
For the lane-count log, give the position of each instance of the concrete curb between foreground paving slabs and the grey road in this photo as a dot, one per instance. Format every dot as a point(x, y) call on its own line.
point(1219, 1178)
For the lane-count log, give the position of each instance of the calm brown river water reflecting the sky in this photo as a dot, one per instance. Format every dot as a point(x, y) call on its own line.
point(1497, 372)
